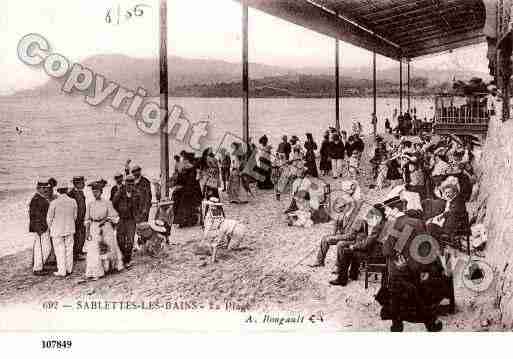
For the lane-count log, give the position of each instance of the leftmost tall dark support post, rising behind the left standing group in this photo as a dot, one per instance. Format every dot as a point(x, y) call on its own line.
point(164, 105)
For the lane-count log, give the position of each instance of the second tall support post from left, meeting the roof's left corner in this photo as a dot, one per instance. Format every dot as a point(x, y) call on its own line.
point(245, 74)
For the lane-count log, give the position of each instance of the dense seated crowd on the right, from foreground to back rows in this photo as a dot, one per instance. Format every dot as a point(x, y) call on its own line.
point(430, 184)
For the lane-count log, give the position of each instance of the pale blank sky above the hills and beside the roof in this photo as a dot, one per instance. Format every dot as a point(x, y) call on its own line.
point(206, 29)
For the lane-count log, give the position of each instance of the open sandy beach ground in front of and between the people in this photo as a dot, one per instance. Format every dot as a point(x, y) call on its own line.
point(270, 272)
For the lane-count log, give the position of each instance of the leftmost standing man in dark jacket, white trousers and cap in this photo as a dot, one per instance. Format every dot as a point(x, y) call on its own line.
point(38, 227)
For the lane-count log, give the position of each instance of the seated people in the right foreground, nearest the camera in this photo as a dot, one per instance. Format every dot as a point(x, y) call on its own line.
point(408, 280)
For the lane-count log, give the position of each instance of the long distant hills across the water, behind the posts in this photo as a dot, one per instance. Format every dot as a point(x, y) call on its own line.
point(193, 77)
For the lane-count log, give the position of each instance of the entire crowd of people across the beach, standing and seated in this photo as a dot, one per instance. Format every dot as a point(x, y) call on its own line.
point(430, 183)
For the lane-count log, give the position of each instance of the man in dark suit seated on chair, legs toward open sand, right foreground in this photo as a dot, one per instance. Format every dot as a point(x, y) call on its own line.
point(361, 241)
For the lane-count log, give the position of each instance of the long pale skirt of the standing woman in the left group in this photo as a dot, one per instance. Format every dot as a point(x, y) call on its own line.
point(105, 234)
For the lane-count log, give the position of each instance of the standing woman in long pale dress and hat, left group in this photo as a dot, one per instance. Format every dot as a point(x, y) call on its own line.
point(99, 219)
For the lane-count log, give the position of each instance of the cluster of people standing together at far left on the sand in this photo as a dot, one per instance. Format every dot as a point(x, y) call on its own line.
point(101, 232)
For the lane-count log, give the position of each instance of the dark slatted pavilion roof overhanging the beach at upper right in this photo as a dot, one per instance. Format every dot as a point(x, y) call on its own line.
point(393, 28)
